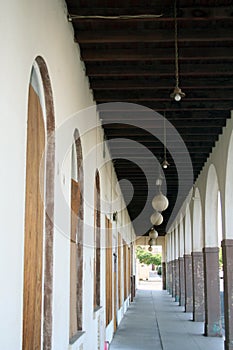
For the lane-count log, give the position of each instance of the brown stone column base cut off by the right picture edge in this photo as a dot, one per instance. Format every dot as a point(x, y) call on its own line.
point(227, 252)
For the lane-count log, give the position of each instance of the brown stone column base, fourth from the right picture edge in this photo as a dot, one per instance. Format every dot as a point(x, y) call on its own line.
point(188, 283)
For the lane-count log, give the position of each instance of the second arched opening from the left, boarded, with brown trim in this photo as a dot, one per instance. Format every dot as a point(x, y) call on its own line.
point(76, 240)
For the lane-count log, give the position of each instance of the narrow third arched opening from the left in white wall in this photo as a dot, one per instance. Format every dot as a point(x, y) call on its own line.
point(96, 299)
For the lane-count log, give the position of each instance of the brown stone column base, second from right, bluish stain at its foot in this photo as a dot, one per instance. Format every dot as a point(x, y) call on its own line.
point(213, 326)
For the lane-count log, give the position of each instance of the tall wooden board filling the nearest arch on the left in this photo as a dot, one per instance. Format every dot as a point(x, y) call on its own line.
point(34, 223)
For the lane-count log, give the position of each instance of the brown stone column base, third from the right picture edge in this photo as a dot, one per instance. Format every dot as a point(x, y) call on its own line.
point(198, 287)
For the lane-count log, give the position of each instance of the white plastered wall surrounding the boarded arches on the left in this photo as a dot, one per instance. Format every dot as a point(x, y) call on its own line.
point(30, 29)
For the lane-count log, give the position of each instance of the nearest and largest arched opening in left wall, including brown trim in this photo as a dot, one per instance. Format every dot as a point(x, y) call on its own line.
point(38, 235)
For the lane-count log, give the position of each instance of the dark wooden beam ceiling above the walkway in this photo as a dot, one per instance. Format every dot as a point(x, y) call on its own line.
point(128, 50)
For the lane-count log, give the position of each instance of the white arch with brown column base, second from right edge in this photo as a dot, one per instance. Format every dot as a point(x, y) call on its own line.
point(213, 325)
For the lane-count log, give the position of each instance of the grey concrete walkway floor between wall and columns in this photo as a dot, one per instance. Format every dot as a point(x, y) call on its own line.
point(155, 321)
